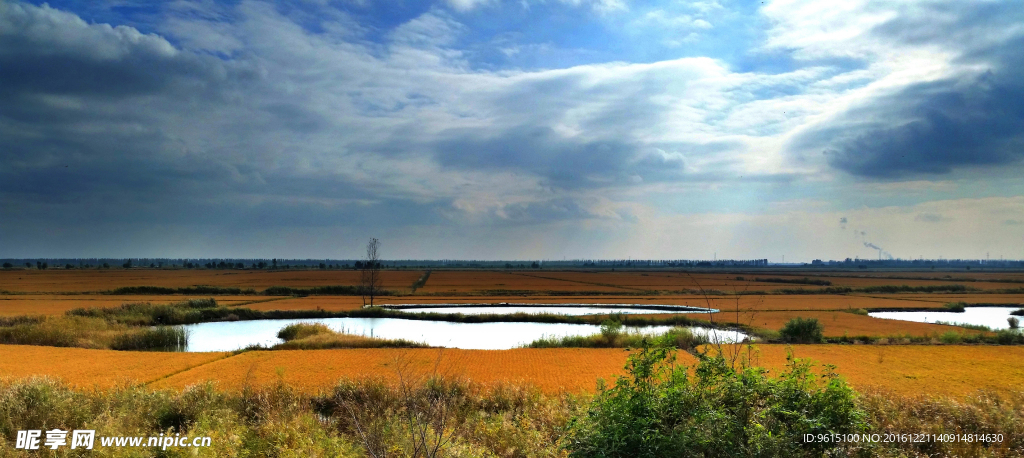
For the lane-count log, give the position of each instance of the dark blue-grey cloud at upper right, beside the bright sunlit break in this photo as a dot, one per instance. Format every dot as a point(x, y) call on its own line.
point(935, 128)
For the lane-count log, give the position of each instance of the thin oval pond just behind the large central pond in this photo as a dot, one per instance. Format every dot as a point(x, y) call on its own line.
point(560, 309)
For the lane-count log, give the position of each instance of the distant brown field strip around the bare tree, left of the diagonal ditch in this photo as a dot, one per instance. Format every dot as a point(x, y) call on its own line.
point(97, 280)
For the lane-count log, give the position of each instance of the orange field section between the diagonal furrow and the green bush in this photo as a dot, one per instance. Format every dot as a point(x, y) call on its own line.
point(552, 370)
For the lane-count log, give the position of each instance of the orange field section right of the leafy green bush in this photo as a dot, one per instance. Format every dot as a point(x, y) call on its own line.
point(914, 370)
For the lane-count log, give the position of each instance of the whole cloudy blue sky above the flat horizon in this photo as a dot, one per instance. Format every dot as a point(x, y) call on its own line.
point(513, 130)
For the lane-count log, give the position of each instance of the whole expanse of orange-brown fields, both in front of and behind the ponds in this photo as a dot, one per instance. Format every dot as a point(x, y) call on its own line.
point(953, 370)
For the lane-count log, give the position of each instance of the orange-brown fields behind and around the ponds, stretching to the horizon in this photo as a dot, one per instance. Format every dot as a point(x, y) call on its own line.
point(56, 292)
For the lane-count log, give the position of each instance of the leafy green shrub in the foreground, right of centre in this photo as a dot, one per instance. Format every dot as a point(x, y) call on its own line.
point(660, 410)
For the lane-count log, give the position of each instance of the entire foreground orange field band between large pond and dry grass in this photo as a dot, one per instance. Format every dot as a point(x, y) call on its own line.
point(909, 370)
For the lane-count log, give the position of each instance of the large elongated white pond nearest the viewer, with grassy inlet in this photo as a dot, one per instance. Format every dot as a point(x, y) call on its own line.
point(227, 337)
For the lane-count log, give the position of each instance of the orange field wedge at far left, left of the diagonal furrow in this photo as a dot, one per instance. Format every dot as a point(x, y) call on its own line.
point(88, 368)
